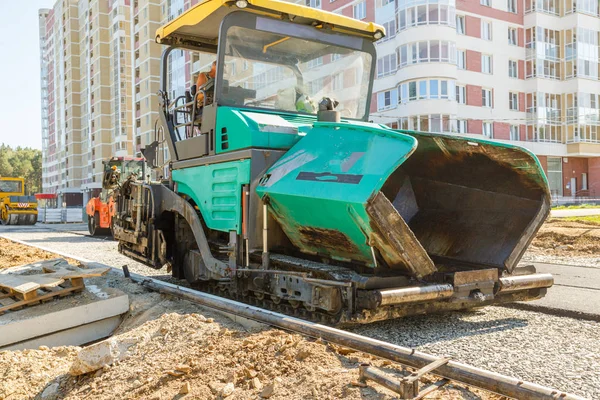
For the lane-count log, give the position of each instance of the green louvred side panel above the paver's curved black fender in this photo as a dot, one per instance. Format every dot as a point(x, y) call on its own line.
point(217, 190)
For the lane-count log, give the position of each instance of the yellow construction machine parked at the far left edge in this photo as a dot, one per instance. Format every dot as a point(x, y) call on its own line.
point(15, 207)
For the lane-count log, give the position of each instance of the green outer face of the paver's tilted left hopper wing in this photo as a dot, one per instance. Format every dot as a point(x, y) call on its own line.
point(319, 189)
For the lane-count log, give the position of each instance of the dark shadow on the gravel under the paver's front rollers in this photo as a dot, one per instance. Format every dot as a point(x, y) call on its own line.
point(426, 329)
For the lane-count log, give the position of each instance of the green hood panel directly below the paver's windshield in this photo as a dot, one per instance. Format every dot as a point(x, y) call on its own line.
point(241, 129)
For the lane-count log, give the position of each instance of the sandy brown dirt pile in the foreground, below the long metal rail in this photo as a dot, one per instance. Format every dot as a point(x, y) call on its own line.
point(191, 356)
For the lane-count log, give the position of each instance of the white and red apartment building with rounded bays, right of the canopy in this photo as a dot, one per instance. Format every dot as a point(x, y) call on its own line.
point(514, 71)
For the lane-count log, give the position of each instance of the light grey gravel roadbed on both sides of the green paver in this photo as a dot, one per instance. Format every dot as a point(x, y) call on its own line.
point(560, 352)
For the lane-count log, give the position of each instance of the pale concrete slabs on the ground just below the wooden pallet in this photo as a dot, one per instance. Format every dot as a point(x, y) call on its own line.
point(40, 323)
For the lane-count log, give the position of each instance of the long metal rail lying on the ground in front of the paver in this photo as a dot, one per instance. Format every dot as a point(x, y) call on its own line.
point(493, 382)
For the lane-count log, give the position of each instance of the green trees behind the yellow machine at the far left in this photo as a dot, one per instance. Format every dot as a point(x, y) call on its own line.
point(22, 162)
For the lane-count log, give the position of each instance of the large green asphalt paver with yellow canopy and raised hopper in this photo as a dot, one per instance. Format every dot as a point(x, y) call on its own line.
point(282, 194)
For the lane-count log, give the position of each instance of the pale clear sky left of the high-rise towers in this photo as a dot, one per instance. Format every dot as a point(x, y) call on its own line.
point(20, 114)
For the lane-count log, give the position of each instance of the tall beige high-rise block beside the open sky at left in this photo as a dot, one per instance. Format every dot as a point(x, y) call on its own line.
point(86, 93)
